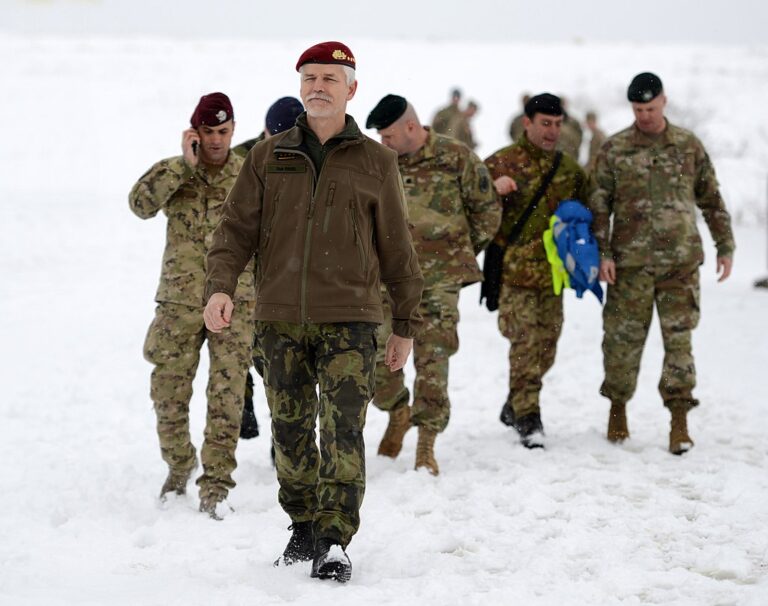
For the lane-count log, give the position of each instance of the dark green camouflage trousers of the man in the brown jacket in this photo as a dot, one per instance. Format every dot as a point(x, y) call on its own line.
point(336, 361)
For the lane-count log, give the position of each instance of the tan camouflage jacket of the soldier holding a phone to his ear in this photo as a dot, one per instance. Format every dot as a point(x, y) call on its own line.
point(192, 199)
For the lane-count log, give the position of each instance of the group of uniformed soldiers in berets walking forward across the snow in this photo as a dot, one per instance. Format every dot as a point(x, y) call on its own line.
point(324, 258)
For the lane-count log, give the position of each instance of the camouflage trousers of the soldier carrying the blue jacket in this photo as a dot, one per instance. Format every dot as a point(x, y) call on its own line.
point(531, 318)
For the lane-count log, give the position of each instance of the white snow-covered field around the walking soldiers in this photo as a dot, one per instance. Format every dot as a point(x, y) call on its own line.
point(581, 523)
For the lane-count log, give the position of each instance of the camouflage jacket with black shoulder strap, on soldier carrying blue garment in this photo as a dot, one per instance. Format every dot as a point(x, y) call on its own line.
point(528, 164)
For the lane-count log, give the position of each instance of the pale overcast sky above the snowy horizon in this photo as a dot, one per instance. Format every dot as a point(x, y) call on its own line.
point(655, 21)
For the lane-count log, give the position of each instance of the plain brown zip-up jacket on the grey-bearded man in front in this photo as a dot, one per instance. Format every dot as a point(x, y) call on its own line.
point(323, 239)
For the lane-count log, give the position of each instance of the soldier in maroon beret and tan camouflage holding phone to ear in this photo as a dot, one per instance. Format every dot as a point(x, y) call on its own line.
point(191, 189)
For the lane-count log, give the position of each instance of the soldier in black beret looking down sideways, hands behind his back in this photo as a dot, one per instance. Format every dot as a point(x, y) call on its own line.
point(453, 214)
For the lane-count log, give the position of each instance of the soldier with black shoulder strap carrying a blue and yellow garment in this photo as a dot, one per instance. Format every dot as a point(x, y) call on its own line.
point(530, 314)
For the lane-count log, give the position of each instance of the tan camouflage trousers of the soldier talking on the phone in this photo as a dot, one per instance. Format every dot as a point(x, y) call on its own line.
point(173, 345)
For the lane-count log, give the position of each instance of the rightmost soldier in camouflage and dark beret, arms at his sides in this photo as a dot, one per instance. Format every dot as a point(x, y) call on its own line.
point(649, 178)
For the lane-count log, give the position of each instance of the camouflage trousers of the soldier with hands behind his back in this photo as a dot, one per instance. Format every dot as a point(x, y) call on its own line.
point(437, 341)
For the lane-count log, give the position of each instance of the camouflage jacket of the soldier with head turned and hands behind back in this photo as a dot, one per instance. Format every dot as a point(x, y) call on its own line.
point(452, 208)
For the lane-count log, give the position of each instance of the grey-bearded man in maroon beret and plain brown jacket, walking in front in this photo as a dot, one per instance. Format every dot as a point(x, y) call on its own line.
point(321, 206)
